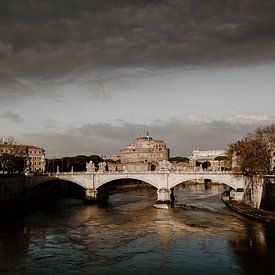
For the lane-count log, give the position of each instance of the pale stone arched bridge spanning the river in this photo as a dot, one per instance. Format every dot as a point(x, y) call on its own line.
point(164, 182)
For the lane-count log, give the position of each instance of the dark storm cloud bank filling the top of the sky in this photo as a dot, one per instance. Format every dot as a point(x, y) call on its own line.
point(53, 39)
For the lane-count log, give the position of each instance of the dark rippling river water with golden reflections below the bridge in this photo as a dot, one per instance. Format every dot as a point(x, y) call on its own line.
point(128, 236)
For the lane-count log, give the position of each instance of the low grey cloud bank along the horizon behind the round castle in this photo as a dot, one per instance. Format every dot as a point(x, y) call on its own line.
point(181, 134)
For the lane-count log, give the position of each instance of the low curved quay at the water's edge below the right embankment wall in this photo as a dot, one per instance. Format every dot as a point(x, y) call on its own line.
point(248, 211)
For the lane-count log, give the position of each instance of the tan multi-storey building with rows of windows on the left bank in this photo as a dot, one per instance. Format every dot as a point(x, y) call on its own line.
point(34, 156)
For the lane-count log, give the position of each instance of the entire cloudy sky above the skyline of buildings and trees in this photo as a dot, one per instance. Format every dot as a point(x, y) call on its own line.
point(83, 77)
